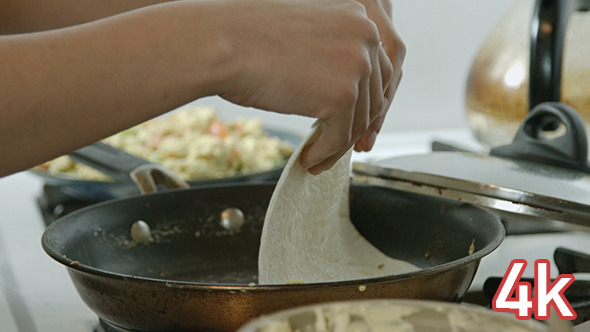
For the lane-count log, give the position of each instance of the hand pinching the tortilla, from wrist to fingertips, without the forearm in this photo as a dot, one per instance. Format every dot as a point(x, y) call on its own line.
point(321, 59)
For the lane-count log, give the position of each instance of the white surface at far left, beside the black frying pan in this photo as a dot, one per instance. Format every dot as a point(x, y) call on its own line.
point(36, 293)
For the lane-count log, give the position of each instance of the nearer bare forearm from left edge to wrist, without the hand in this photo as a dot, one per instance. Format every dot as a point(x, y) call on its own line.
point(66, 88)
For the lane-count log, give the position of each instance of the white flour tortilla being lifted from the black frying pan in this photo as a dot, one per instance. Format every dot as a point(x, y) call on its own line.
point(308, 236)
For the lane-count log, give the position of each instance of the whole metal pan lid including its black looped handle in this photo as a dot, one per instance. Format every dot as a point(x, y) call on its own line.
point(531, 177)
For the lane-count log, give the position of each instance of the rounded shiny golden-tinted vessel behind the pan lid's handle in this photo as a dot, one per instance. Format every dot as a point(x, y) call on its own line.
point(497, 90)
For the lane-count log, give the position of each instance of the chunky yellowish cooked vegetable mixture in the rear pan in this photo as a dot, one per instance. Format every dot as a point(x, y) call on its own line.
point(194, 143)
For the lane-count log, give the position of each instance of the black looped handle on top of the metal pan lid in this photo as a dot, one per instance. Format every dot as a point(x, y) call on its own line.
point(554, 134)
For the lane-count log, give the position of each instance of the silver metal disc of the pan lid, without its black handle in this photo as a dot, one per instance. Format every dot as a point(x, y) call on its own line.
point(511, 185)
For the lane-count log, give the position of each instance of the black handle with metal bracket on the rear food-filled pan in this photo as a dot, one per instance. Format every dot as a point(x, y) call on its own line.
point(127, 168)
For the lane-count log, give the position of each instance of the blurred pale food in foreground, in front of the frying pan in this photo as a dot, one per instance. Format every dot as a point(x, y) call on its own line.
point(367, 316)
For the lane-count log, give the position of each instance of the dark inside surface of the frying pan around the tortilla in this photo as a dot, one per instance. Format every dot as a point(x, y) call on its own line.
point(190, 245)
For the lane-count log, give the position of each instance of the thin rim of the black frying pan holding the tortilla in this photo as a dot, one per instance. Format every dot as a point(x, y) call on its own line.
point(80, 267)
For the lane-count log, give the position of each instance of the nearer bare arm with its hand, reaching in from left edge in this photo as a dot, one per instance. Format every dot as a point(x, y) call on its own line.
point(70, 87)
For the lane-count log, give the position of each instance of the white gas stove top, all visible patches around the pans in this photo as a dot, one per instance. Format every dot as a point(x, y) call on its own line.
point(36, 294)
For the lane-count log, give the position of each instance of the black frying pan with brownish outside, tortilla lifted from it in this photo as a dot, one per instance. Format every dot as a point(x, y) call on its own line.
point(199, 276)
